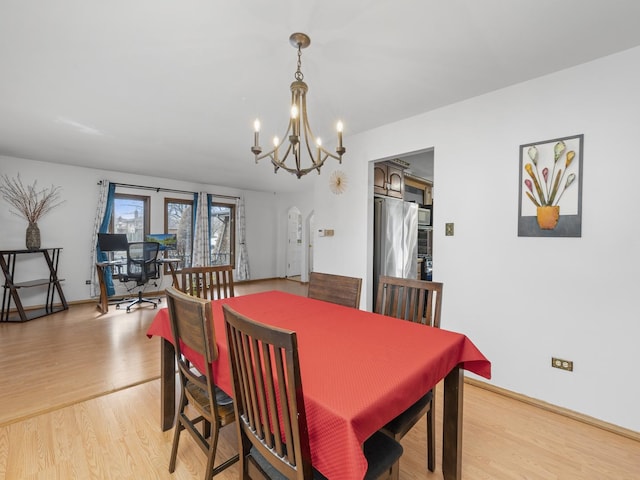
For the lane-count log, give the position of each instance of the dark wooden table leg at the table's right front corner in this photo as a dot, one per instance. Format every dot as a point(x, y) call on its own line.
point(452, 425)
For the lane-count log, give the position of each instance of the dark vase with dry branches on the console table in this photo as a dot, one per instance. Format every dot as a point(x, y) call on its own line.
point(30, 203)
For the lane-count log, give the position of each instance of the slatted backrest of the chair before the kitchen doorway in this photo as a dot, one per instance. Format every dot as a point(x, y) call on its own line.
point(419, 301)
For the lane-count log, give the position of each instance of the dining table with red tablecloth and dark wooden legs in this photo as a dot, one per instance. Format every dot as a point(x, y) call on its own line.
point(359, 370)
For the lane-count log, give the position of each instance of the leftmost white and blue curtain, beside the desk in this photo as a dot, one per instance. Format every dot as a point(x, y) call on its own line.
point(101, 225)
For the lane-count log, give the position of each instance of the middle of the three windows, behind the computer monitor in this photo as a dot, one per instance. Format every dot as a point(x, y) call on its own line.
point(178, 219)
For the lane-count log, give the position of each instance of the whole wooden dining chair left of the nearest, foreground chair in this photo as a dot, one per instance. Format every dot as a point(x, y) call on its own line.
point(201, 401)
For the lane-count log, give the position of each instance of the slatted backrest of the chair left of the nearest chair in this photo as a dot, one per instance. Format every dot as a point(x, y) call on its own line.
point(192, 327)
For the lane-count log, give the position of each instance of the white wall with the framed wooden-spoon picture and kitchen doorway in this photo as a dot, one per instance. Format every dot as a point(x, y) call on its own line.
point(523, 300)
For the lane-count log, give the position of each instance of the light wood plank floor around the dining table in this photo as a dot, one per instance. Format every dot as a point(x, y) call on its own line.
point(79, 399)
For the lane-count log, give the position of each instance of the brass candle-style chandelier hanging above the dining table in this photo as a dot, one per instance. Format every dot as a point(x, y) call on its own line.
point(298, 132)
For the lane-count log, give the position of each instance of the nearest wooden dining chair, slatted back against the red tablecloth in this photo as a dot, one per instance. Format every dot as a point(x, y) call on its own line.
point(269, 405)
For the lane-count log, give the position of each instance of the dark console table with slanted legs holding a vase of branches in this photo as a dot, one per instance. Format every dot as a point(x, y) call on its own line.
point(12, 288)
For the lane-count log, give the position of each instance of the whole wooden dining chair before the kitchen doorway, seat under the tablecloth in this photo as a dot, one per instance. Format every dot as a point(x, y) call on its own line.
point(417, 301)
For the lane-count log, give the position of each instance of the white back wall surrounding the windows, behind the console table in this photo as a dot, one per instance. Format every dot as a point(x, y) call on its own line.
point(71, 225)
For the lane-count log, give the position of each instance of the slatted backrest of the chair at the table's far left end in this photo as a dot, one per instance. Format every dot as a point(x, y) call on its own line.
point(207, 282)
